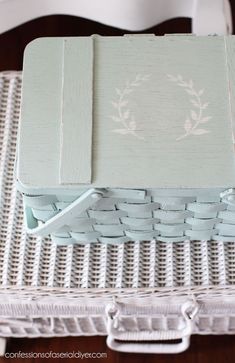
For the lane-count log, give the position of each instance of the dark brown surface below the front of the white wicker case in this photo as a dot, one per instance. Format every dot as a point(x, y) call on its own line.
point(203, 349)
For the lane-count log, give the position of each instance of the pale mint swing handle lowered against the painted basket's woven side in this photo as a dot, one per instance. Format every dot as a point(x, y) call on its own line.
point(80, 205)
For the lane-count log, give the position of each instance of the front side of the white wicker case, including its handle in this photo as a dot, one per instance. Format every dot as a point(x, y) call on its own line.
point(139, 317)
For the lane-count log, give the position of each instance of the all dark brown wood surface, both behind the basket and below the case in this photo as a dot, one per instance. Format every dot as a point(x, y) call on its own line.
point(203, 349)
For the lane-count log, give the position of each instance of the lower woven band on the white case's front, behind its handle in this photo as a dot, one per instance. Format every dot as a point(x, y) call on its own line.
point(68, 326)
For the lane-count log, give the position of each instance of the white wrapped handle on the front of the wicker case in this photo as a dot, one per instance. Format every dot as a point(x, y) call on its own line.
point(126, 341)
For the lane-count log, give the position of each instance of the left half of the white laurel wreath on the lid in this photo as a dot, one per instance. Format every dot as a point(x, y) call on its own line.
point(124, 115)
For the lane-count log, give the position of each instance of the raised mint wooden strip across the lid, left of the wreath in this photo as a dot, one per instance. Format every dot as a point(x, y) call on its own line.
point(76, 111)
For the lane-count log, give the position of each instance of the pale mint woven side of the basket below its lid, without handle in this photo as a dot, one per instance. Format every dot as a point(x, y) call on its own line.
point(117, 219)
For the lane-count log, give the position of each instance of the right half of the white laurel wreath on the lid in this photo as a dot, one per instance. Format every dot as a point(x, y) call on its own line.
point(196, 117)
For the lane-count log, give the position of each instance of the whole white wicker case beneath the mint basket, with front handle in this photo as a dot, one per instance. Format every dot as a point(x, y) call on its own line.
point(47, 290)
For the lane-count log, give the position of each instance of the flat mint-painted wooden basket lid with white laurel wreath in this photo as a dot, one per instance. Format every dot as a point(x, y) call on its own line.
point(132, 112)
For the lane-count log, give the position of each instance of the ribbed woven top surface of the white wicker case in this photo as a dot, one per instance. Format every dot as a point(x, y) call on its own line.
point(36, 262)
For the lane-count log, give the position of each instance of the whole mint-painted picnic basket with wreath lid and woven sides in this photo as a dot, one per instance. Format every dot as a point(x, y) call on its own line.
point(83, 180)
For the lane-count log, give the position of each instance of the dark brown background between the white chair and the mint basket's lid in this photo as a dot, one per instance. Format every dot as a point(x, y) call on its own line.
point(13, 42)
